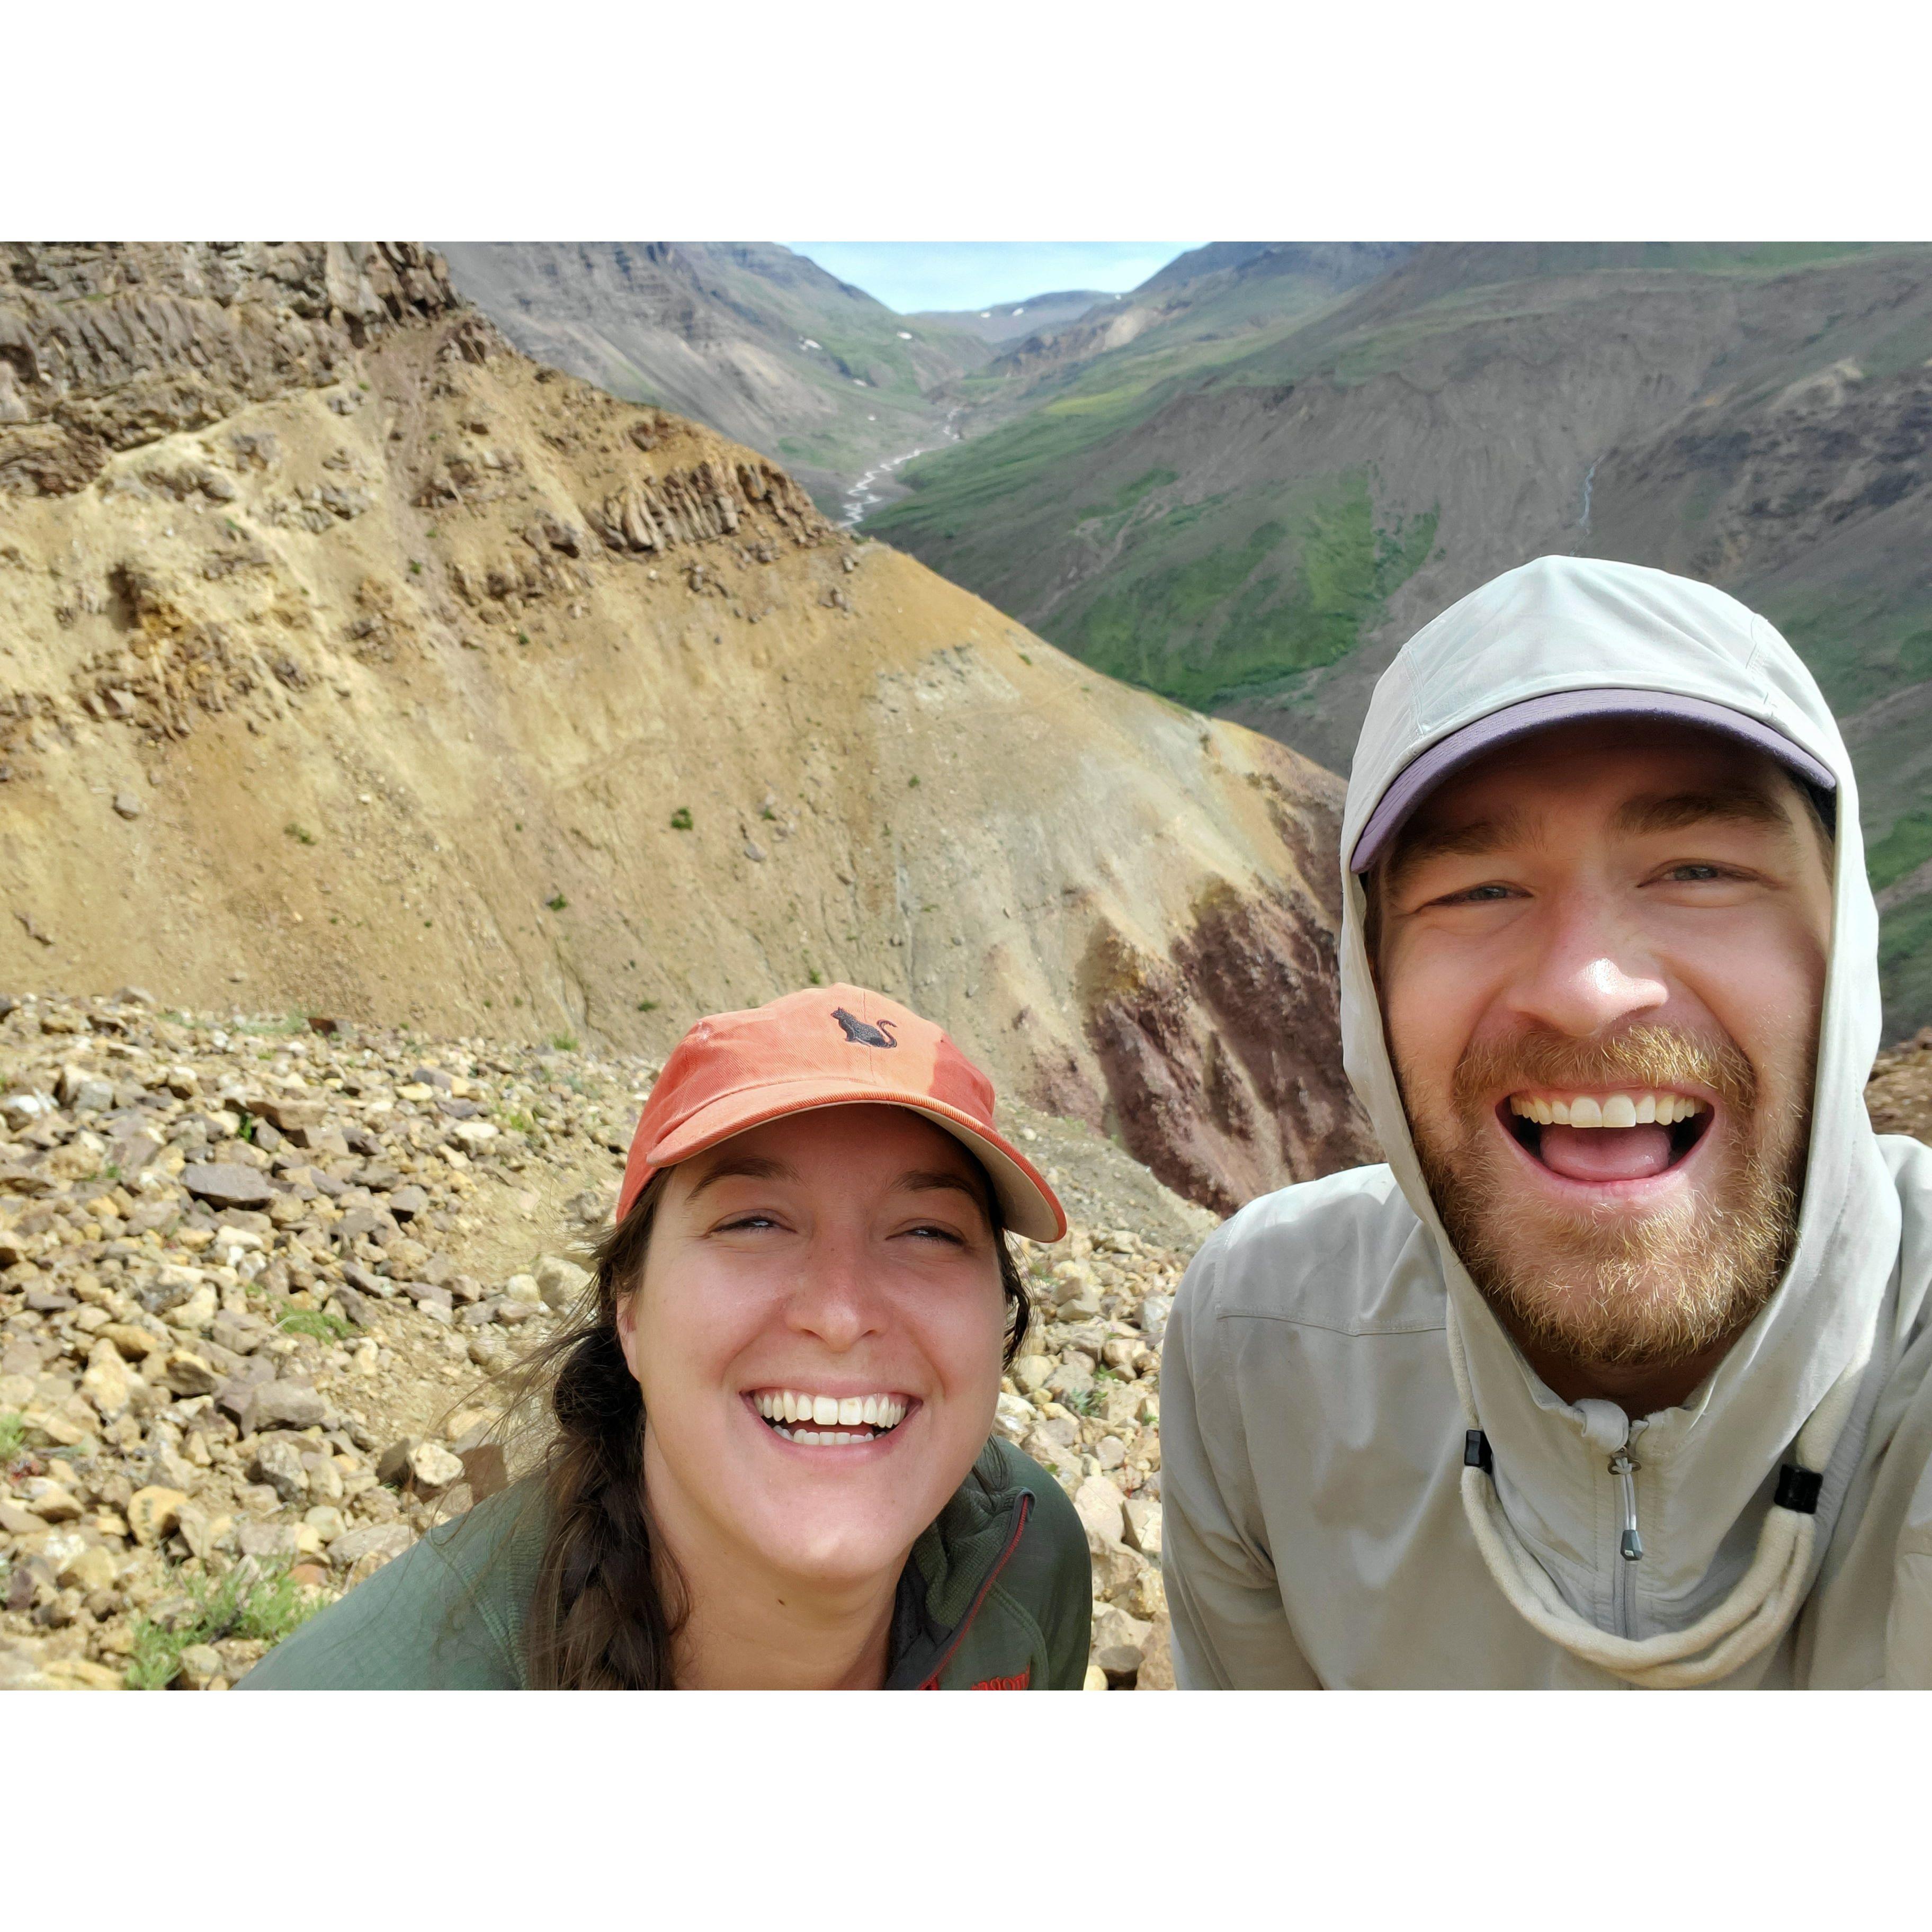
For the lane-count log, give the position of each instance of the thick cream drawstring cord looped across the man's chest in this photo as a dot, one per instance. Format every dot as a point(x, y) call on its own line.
point(1749, 1620)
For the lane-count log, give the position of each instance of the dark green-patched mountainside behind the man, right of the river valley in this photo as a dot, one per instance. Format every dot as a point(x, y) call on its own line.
point(1249, 503)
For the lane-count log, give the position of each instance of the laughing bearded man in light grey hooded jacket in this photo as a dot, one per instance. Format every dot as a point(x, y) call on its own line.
point(1620, 1371)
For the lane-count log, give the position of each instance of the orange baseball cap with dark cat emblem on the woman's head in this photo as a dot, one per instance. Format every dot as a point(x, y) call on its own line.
point(832, 1046)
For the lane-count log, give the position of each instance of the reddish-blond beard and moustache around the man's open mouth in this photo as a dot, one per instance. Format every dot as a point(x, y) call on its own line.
point(1605, 1290)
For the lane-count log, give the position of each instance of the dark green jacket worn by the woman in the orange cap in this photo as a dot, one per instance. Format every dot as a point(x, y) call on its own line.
point(996, 1597)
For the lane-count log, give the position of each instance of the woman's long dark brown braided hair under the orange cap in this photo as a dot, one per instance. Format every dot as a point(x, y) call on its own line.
point(608, 1608)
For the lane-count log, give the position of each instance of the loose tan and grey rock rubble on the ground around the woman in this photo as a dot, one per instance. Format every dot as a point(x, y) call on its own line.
point(254, 1282)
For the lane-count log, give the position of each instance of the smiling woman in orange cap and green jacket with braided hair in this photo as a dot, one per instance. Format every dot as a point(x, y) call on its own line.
point(770, 1458)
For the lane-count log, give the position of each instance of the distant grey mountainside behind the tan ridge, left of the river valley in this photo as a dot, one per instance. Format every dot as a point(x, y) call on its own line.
point(747, 337)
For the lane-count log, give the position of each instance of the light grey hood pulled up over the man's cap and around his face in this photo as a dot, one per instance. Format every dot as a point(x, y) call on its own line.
point(1564, 625)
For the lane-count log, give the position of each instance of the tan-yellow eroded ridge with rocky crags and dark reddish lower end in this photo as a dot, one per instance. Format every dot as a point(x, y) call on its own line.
point(356, 666)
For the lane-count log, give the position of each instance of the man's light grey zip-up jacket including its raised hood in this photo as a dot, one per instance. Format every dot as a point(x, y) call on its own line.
point(1321, 1523)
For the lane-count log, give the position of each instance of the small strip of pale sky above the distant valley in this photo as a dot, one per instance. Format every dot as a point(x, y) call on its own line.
point(977, 275)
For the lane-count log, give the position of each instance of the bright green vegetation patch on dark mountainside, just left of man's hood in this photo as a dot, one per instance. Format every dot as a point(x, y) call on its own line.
point(1299, 590)
